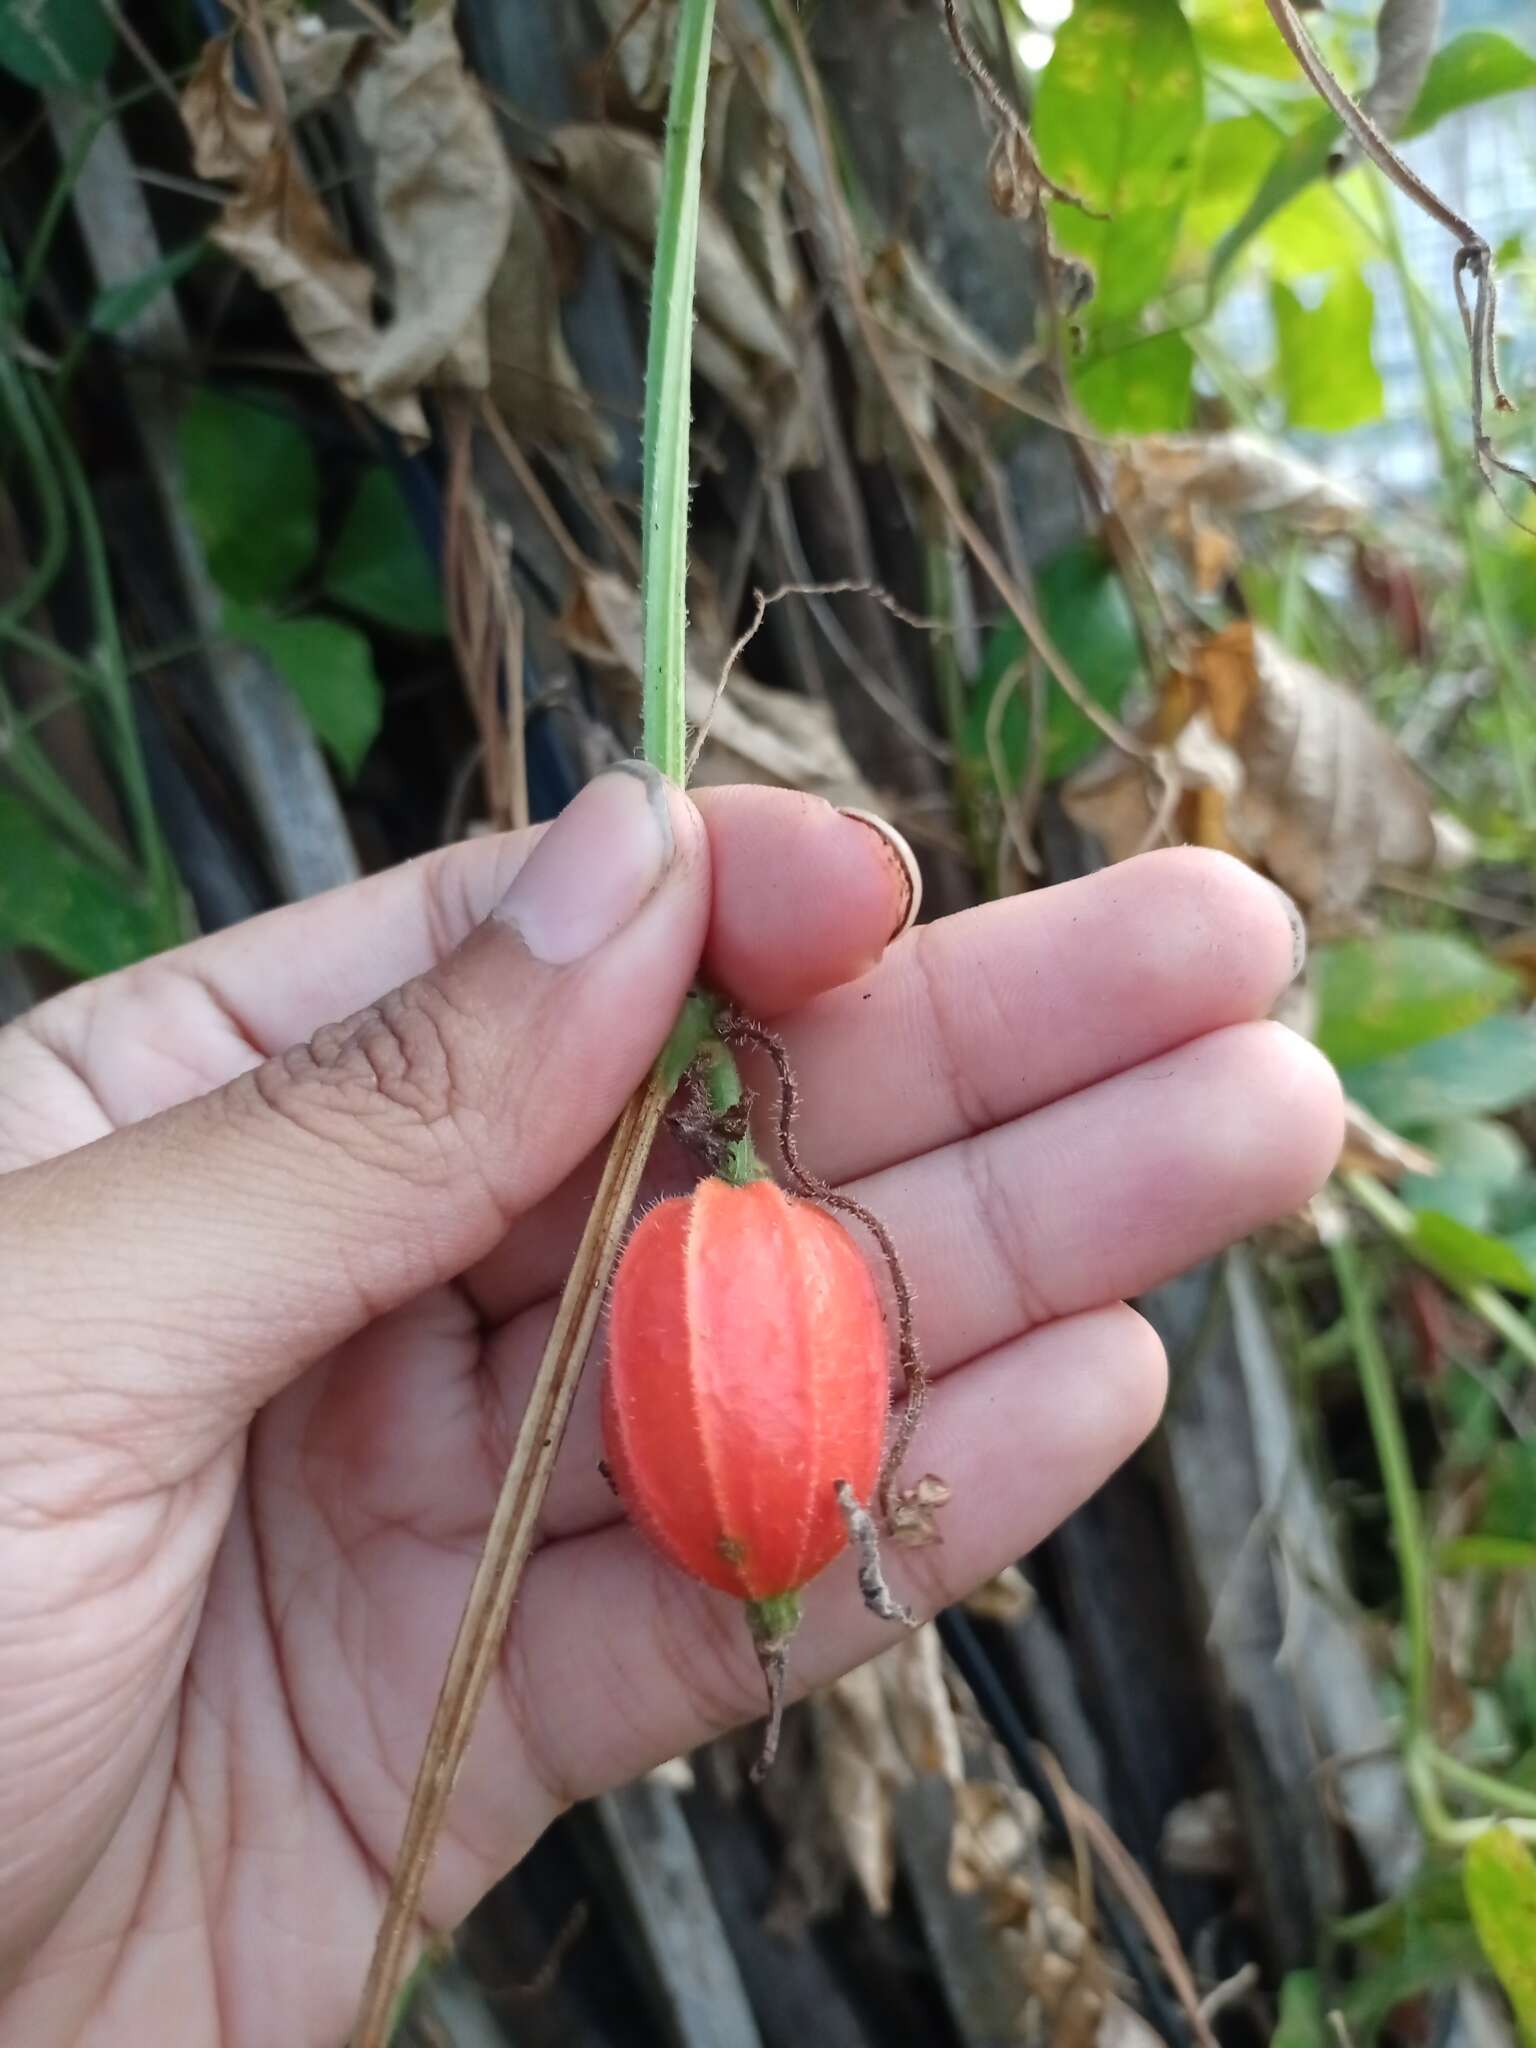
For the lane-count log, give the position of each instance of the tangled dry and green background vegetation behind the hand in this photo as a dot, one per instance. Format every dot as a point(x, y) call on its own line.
point(318, 531)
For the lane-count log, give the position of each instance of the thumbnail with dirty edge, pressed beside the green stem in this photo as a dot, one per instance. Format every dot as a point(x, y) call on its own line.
point(595, 867)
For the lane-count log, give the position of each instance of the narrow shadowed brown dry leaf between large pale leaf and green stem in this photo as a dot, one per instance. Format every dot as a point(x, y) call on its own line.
point(536, 382)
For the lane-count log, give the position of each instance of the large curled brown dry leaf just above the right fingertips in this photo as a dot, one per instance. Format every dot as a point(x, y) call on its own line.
point(1275, 763)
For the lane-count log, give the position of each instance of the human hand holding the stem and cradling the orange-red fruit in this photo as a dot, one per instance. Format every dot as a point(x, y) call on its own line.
point(269, 1318)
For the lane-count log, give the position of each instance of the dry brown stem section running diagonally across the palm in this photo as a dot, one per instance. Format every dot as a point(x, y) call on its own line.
point(509, 1543)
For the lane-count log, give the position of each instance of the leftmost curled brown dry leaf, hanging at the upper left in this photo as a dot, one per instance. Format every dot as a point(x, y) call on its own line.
point(280, 230)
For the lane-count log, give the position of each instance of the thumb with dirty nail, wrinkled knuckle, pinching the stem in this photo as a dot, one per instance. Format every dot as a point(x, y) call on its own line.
point(187, 1267)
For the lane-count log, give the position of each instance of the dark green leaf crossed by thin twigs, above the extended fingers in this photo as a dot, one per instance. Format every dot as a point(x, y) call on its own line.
point(1089, 615)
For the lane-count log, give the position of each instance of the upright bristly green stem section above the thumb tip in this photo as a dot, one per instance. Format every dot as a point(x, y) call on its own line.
point(669, 398)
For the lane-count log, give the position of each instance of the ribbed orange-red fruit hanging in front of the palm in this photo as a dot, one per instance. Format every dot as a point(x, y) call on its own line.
point(746, 1377)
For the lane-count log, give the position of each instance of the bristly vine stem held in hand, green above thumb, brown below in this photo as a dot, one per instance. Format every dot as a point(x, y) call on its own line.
point(509, 1543)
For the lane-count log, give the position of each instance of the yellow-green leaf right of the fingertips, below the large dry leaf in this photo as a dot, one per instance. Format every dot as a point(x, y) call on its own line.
point(1379, 996)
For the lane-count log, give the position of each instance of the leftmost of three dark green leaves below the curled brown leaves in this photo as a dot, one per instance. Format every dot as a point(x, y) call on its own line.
point(253, 488)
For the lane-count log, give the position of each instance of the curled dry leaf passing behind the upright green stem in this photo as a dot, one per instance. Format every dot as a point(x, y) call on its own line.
point(742, 345)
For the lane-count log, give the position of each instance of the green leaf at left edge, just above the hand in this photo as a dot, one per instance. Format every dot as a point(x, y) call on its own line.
point(67, 906)
